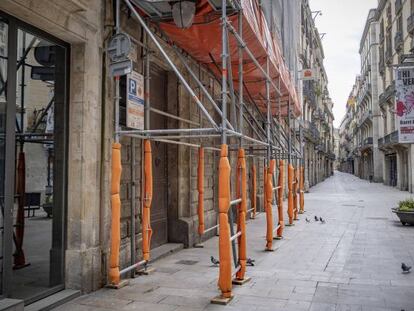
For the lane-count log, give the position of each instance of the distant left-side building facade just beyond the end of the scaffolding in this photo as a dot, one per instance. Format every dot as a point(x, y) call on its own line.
point(317, 116)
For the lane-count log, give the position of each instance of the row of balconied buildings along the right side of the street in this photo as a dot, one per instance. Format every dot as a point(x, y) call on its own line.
point(371, 123)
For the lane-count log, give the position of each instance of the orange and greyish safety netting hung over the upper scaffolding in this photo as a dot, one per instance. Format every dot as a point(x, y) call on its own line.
point(203, 42)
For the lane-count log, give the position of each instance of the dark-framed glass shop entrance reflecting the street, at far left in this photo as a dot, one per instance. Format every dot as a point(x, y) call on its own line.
point(33, 143)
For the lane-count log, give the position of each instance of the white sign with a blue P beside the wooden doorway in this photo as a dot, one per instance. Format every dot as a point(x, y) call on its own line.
point(135, 101)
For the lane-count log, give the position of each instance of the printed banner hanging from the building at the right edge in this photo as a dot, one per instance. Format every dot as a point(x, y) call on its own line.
point(404, 104)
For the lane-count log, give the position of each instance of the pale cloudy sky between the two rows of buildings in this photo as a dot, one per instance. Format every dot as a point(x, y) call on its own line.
point(343, 22)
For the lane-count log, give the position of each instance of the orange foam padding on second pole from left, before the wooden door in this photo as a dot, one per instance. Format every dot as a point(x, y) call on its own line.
point(146, 211)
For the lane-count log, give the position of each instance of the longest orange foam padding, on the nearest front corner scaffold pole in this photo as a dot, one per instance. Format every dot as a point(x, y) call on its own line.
point(224, 282)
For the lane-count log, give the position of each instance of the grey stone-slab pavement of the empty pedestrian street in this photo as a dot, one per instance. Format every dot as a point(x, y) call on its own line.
point(352, 262)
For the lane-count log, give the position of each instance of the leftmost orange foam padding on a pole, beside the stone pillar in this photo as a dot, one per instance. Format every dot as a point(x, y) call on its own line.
point(114, 276)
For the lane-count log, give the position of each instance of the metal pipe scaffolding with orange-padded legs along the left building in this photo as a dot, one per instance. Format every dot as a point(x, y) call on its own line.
point(271, 142)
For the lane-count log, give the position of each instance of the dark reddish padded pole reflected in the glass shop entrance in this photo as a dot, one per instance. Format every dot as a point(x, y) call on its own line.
point(19, 257)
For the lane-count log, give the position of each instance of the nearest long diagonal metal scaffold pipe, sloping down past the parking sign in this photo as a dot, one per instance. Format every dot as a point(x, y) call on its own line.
point(171, 63)
